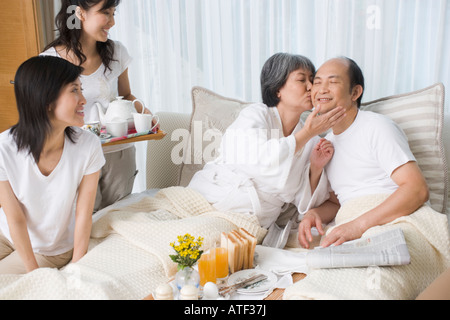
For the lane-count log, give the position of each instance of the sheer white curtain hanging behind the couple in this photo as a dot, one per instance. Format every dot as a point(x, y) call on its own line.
point(401, 45)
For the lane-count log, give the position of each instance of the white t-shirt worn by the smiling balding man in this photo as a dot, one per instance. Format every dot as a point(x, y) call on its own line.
point(366, 155)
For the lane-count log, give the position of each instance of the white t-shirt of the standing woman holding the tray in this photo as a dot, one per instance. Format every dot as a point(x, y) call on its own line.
point(102, 86)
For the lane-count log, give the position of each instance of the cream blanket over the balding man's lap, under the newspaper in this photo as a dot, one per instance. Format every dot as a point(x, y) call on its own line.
point(427, 237)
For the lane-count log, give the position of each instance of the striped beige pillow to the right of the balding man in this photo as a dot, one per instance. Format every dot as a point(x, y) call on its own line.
point(421, 116)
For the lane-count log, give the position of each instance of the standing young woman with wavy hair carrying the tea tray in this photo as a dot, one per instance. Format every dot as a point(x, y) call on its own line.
point(83, 27)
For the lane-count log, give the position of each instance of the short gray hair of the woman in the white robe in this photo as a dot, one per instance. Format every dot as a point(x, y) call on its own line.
point(276, 71)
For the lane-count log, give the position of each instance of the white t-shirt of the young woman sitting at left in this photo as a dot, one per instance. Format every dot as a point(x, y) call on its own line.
point(49, 202)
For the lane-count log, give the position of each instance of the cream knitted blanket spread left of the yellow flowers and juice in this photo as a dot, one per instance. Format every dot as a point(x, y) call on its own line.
point(129, 255)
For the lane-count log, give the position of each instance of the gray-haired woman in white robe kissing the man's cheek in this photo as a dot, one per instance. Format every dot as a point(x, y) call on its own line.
point(265, 154)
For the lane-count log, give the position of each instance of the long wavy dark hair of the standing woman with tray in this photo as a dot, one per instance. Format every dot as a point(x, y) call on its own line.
point(69, 34)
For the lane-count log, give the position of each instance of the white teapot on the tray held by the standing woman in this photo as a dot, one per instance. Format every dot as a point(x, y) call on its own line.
point(118, 110)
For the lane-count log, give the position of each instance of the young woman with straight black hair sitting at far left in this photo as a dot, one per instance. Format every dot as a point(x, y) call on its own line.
point(49, 170)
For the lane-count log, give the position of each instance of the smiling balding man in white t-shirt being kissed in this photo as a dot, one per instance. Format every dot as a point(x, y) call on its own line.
point(372, 156)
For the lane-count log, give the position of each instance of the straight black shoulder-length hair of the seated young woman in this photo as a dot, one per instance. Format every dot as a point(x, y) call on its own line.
point(37, 85)
